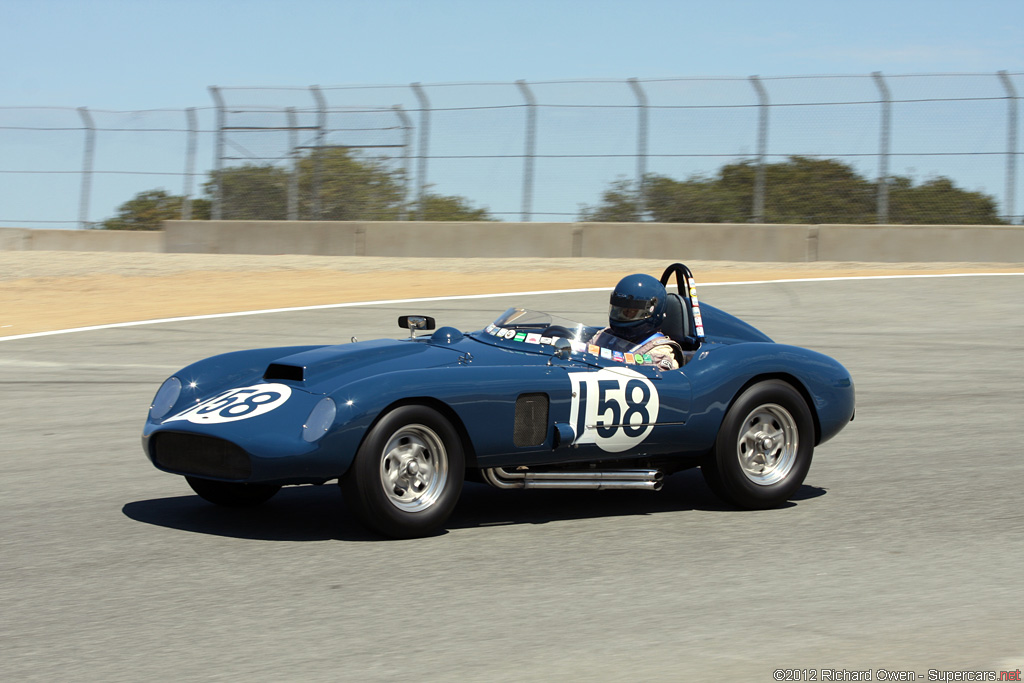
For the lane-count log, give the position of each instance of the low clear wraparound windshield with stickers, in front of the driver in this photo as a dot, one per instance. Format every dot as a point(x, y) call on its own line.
point(526, 328)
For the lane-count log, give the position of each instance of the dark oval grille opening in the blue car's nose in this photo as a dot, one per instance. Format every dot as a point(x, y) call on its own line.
point(202, 456)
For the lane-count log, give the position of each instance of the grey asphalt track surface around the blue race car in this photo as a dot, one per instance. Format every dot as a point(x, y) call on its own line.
point(904, 550)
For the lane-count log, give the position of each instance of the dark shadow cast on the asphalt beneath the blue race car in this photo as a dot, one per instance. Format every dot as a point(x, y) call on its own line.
point(318, 514)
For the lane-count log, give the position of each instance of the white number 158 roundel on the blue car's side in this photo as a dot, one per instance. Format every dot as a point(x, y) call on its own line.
point(614, 409)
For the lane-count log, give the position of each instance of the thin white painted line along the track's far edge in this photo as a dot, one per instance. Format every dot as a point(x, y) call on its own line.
point(464, 297)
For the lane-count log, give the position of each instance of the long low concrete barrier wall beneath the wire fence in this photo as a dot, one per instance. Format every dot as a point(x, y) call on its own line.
point(436, 240)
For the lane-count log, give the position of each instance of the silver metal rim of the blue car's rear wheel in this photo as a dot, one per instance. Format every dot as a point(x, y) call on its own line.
point(767, 445)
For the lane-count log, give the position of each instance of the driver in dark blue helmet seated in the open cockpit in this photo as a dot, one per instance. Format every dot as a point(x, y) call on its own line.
point(636, 314)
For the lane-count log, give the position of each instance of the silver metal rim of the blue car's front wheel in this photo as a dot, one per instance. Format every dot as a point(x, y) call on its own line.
point(414, 468)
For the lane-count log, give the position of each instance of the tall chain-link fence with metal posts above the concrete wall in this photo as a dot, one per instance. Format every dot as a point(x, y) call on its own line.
point(522, 151)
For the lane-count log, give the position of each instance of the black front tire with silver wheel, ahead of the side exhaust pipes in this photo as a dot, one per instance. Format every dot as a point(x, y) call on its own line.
point(408, 475)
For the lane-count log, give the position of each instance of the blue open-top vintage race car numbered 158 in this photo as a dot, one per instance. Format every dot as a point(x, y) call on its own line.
point(529, 402)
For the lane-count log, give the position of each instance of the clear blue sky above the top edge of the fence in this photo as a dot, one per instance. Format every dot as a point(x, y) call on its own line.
point(133, 55)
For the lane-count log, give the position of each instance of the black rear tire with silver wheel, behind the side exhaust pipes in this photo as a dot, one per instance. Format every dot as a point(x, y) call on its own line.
point(764, 448)
